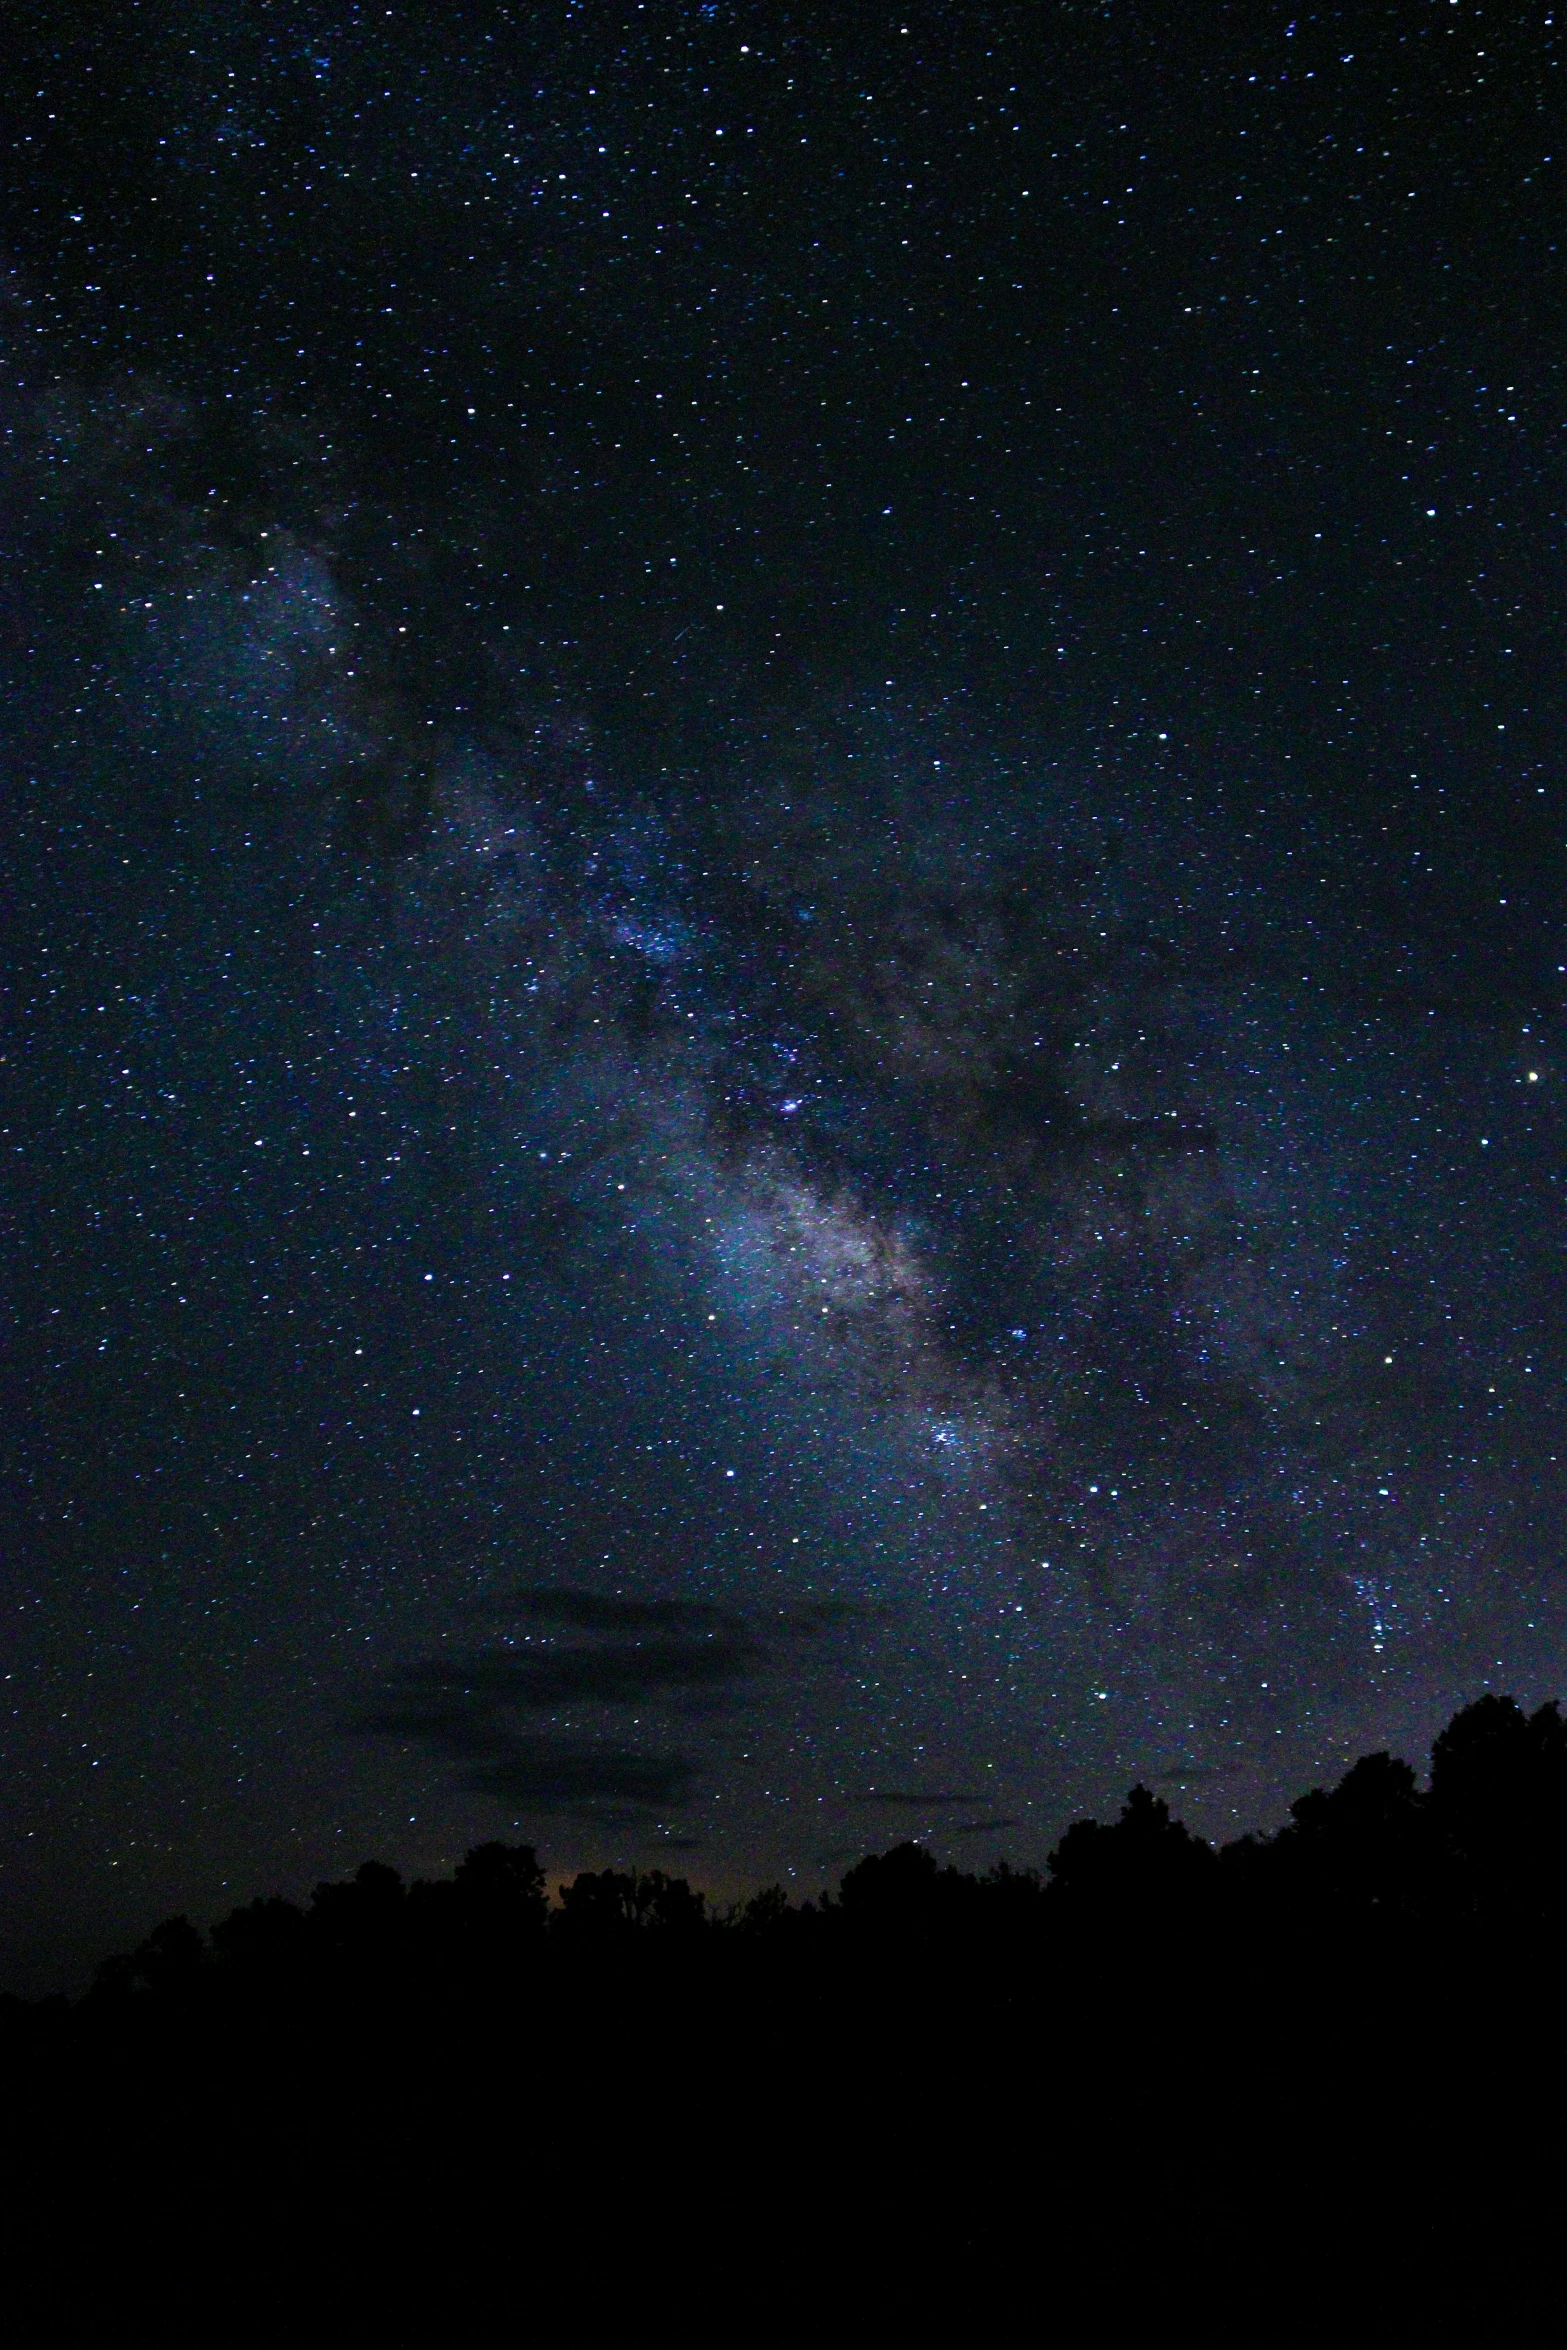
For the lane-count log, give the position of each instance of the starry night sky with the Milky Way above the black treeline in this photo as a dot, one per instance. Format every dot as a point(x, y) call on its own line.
point(781, 927)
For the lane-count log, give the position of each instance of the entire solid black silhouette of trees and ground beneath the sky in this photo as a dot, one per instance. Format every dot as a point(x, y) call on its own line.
point(1314, 2062)
